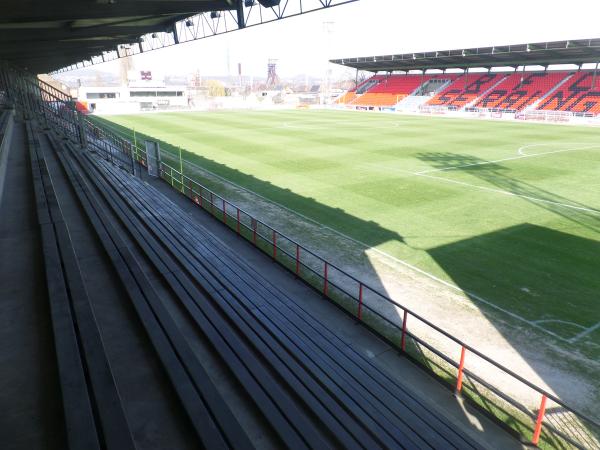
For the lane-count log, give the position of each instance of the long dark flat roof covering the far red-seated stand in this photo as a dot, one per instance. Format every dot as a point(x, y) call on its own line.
point(540, 53)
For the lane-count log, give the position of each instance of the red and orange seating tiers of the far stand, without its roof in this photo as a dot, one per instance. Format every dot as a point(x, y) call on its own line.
point(505, 91)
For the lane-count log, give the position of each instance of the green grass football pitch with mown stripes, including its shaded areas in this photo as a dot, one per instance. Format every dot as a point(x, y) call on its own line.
point(507, 211)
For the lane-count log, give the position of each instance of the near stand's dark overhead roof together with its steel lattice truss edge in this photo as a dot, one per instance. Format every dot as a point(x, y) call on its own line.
point(47, 35)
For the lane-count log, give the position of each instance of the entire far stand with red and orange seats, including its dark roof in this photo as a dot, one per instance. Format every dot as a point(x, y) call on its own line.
point(575, 92)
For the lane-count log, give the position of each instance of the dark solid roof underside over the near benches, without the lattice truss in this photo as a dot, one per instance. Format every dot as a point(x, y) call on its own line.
point(41, 35)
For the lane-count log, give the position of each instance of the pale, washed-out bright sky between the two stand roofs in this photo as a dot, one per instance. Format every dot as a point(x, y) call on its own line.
point(302, 45)
